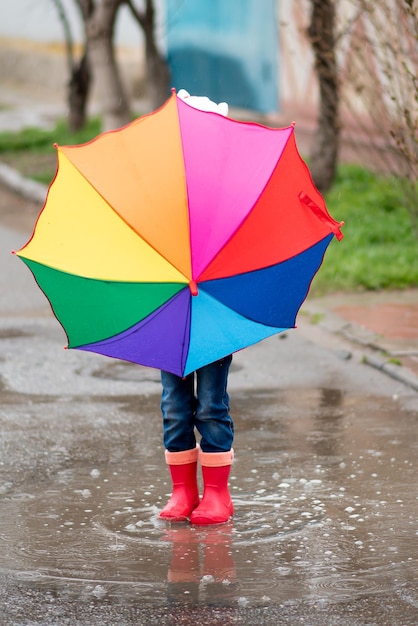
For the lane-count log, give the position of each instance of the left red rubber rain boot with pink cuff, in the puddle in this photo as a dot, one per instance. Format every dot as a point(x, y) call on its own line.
point(185, 494)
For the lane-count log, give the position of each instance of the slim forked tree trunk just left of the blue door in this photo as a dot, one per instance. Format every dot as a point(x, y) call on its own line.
point(157, 72)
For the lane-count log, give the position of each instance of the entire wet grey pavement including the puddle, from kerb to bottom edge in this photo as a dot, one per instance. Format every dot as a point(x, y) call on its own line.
point(324, 482)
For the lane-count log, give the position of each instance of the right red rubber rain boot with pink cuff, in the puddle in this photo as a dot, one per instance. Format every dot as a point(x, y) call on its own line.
point(216, 506)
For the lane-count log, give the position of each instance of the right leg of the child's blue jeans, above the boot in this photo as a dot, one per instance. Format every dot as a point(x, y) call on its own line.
point(212, 419)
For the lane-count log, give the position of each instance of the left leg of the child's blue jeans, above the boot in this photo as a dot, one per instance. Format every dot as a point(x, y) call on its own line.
point(178, 405)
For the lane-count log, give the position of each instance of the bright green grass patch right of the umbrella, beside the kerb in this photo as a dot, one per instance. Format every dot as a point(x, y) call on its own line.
point(379, 250)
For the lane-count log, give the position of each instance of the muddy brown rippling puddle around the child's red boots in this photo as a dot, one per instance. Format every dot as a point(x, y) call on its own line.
point(324, 486)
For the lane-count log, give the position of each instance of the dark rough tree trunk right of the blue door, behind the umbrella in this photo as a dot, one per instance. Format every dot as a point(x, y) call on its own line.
point(324, 156)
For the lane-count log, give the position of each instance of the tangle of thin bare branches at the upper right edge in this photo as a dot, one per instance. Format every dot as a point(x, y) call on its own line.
point(380, 90)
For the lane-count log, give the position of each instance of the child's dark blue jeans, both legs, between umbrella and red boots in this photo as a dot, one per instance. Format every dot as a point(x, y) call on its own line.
point(207, 410)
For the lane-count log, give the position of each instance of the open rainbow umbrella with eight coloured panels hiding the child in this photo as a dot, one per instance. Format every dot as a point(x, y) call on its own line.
point(179, 238)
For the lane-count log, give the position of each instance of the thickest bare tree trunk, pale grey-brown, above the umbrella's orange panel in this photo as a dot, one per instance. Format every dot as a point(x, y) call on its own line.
point(99, 18)
